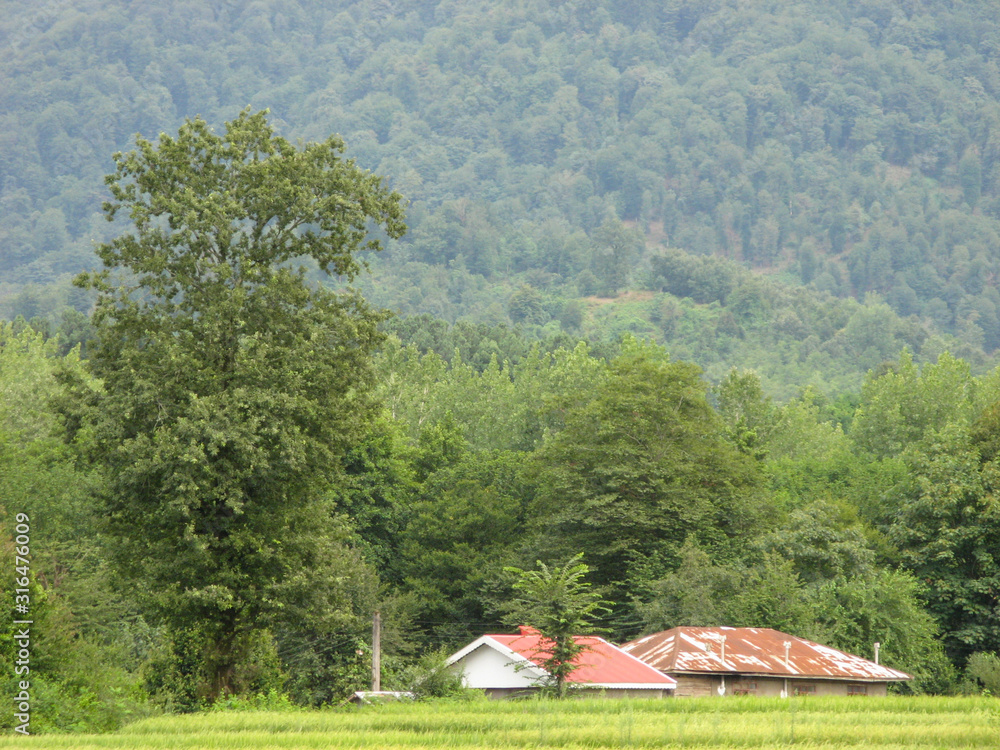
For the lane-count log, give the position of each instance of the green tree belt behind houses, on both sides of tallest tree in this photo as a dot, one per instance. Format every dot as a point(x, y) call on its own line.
point(845, 523)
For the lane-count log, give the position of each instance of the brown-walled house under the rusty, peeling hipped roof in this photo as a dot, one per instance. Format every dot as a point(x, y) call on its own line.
point(758, 661)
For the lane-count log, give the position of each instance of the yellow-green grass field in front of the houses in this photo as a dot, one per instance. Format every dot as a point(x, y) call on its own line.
point(589, 723)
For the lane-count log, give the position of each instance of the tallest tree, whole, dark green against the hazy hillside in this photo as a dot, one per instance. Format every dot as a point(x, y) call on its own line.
point(232, 389)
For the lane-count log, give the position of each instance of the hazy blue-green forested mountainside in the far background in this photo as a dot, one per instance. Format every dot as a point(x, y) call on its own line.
point(556, 149)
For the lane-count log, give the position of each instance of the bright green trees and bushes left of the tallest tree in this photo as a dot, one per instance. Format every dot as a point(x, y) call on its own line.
point(81, 665)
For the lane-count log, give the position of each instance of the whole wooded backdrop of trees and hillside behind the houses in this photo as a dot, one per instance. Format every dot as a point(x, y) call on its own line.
point(705, 291)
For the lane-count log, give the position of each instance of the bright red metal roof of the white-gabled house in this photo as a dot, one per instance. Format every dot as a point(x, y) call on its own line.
point(600, 663)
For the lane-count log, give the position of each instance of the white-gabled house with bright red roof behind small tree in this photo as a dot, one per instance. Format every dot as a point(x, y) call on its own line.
point(509, 665)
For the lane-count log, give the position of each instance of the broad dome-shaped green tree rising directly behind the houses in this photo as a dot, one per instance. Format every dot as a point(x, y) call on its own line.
point(639, 465)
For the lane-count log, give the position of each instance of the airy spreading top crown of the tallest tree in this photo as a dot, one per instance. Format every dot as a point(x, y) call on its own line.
point(234, 206)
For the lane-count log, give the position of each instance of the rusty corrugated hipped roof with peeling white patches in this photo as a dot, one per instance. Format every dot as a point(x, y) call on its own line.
point(756, 651)
